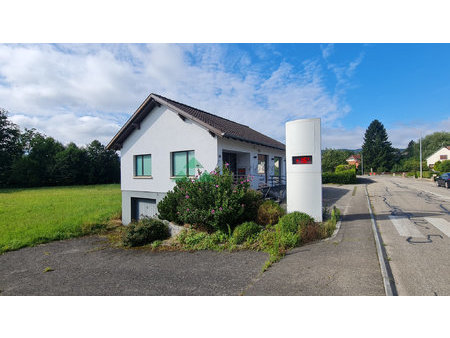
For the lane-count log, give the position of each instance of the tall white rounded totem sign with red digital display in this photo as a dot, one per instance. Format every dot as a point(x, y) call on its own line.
point(304, 167)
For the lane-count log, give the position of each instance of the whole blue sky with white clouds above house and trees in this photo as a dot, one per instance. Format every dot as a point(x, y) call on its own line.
point(81, 92)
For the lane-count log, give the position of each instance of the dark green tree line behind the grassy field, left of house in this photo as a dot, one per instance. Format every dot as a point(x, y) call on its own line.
point(32, 159)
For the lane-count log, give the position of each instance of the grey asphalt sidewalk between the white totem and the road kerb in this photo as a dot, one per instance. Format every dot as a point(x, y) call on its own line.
point(343, 266)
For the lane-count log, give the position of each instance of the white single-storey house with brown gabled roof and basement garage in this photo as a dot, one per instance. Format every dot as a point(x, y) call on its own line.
point(165, 139)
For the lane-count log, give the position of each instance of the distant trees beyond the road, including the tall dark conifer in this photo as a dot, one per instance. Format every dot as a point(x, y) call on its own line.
point(380, 156)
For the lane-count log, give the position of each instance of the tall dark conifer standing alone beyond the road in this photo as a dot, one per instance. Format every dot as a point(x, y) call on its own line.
point(377, 150)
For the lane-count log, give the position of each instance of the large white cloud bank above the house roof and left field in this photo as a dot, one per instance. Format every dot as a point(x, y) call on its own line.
point(85, 92)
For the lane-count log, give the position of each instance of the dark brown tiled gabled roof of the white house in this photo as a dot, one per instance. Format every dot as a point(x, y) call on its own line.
point(215, 124)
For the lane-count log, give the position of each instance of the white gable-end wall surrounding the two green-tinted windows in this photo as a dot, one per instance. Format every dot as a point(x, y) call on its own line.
point(161, 133)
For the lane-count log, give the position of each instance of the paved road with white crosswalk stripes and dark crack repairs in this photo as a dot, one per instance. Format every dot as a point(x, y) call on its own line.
point(414, 220)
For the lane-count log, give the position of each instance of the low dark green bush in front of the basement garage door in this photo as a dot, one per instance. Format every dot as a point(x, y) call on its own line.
point(145, 231)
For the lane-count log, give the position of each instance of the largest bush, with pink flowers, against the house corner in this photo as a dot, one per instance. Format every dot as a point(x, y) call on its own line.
point(210, 201)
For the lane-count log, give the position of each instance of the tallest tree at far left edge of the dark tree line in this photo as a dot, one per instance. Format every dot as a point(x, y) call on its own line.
point(10, 148)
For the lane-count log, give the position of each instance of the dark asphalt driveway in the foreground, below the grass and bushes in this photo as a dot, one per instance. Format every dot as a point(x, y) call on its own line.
point(88, 266)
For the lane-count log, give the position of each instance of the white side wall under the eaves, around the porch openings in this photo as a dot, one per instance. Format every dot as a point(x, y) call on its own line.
point(254, 150)
